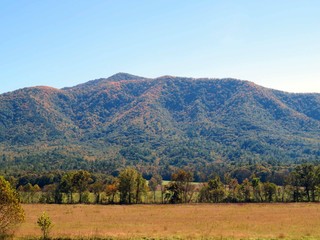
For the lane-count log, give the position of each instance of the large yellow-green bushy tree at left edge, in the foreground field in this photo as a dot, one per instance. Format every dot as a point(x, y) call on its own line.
point(11, 212)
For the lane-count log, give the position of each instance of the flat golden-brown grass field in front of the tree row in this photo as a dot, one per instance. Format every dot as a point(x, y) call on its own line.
point(198, 221)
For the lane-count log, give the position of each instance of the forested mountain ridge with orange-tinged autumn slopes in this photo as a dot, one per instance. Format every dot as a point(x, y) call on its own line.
point(161, 122)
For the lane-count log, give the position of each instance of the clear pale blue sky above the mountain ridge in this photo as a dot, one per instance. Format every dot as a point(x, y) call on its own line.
point(61, 43)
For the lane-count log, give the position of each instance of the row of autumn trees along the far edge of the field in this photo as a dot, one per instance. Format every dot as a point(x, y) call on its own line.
point(302, 184)
